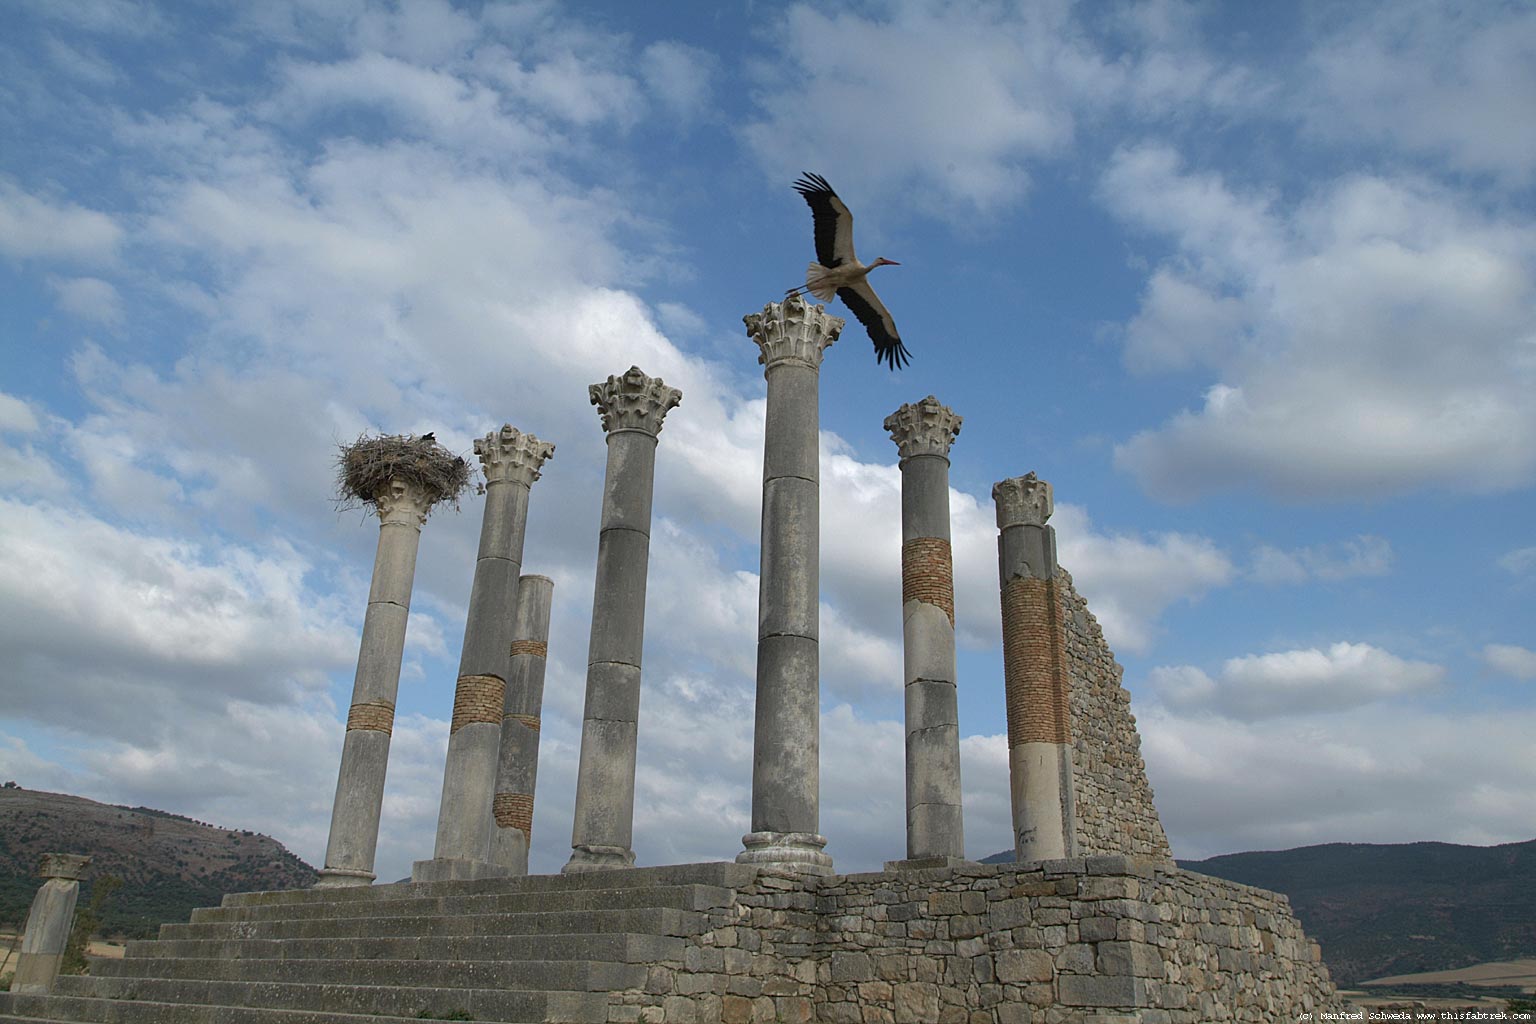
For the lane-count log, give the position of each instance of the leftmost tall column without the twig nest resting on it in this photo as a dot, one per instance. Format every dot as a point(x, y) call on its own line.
point(365, 756)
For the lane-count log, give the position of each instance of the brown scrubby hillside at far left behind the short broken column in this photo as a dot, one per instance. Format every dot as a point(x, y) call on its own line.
point(168, 864)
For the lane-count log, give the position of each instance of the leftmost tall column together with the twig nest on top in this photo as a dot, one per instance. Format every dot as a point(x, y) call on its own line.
point(402, 504)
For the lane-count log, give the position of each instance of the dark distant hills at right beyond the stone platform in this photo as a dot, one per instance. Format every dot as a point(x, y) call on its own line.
point(1397, 910)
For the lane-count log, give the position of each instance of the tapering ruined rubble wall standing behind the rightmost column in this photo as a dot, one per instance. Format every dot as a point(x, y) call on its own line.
point(1110, 781)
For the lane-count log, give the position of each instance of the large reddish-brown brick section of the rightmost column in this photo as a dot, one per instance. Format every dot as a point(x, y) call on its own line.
point(1033, 664)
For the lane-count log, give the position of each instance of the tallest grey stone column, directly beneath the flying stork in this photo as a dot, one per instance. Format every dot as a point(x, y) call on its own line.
point(787, 733)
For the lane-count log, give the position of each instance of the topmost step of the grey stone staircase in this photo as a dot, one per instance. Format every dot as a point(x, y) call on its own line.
point(724, 874)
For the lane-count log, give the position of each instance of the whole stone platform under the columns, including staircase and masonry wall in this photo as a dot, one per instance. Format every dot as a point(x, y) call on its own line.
point(1099, 940)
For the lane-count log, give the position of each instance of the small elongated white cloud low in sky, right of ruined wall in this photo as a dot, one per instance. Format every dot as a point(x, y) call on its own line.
point(1296, 682)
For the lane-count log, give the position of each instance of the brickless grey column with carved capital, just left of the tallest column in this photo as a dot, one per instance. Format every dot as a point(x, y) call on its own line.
point(632, 409)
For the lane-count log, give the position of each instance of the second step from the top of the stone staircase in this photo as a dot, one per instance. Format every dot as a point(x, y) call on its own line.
point(686, 897)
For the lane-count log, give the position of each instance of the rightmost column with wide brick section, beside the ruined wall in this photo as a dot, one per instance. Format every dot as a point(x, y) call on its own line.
point(1034, 672)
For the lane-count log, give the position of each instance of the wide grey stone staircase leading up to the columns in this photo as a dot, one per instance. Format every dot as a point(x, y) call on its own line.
point(546, 948)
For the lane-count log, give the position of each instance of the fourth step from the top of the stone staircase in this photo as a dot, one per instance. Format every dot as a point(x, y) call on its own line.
point(615, 948)
